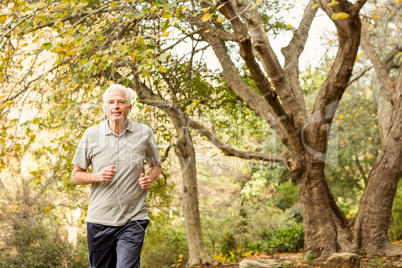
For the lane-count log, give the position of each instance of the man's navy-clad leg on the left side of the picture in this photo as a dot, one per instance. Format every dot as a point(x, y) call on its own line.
point(101, 245)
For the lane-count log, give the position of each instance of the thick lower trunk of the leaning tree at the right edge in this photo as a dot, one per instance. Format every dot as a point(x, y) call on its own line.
point(376, 204)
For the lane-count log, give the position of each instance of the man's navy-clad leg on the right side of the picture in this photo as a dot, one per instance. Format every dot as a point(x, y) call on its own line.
point(129, 244)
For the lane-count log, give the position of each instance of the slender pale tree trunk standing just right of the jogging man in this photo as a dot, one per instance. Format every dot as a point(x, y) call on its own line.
point(198, 254)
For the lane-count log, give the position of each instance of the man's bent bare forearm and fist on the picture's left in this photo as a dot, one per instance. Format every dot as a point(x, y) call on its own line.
point(80, 176)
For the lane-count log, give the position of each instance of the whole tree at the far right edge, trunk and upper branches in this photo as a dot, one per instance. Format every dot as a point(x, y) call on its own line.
point(373, 218)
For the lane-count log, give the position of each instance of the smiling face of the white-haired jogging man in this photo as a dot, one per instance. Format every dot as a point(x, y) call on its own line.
point(116, 106)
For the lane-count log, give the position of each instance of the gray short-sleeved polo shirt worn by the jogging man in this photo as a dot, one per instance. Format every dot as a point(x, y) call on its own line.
point(121, 200)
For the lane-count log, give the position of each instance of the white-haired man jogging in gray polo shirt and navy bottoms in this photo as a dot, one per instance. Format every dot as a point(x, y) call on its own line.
point(117, 212)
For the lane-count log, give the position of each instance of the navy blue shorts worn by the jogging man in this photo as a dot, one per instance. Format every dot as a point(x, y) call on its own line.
point(111, 247)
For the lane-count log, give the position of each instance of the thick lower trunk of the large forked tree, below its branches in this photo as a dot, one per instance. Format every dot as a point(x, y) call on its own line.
point(325, 227)
